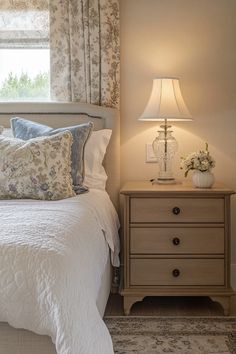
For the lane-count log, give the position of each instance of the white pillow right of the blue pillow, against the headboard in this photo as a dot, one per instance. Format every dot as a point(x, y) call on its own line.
point(95, 149)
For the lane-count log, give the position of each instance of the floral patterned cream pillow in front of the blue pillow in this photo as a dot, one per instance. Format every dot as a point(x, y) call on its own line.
point(39, 168)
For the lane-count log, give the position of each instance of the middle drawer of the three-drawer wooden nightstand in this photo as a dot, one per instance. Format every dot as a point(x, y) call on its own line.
point(177, 240)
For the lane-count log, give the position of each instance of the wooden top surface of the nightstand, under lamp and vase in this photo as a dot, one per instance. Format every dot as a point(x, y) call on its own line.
point(136, 187)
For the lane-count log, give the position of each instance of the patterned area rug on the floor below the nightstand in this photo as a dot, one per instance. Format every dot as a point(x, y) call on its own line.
point(178, 335)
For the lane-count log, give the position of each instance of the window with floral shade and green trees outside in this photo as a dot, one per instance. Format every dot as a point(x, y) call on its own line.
point(24, 50)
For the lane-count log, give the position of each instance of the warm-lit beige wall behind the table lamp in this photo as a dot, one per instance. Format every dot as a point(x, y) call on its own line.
point(193, 40)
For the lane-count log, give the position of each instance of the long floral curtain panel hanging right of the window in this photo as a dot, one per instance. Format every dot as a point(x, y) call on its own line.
point(85, 55)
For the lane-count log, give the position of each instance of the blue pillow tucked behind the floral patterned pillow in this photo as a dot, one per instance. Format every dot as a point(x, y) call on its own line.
point(25, 129)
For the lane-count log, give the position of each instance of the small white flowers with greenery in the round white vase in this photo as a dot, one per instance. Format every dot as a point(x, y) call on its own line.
point(201, 161)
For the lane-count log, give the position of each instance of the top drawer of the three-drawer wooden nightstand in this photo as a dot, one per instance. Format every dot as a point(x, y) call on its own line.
point(166, 210)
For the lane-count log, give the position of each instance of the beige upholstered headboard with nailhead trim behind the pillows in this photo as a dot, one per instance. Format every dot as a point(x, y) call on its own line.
point(66, 114)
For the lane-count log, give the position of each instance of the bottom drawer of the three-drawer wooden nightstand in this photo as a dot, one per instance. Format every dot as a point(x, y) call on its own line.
point(192, 272)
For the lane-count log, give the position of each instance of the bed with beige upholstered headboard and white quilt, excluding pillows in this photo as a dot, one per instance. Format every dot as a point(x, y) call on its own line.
point(72, 318)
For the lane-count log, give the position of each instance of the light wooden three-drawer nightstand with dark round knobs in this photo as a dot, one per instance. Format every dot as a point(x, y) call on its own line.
point(176, 242)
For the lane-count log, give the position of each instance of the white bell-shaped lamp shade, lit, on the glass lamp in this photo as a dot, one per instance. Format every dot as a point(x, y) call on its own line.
point(166, 102)
